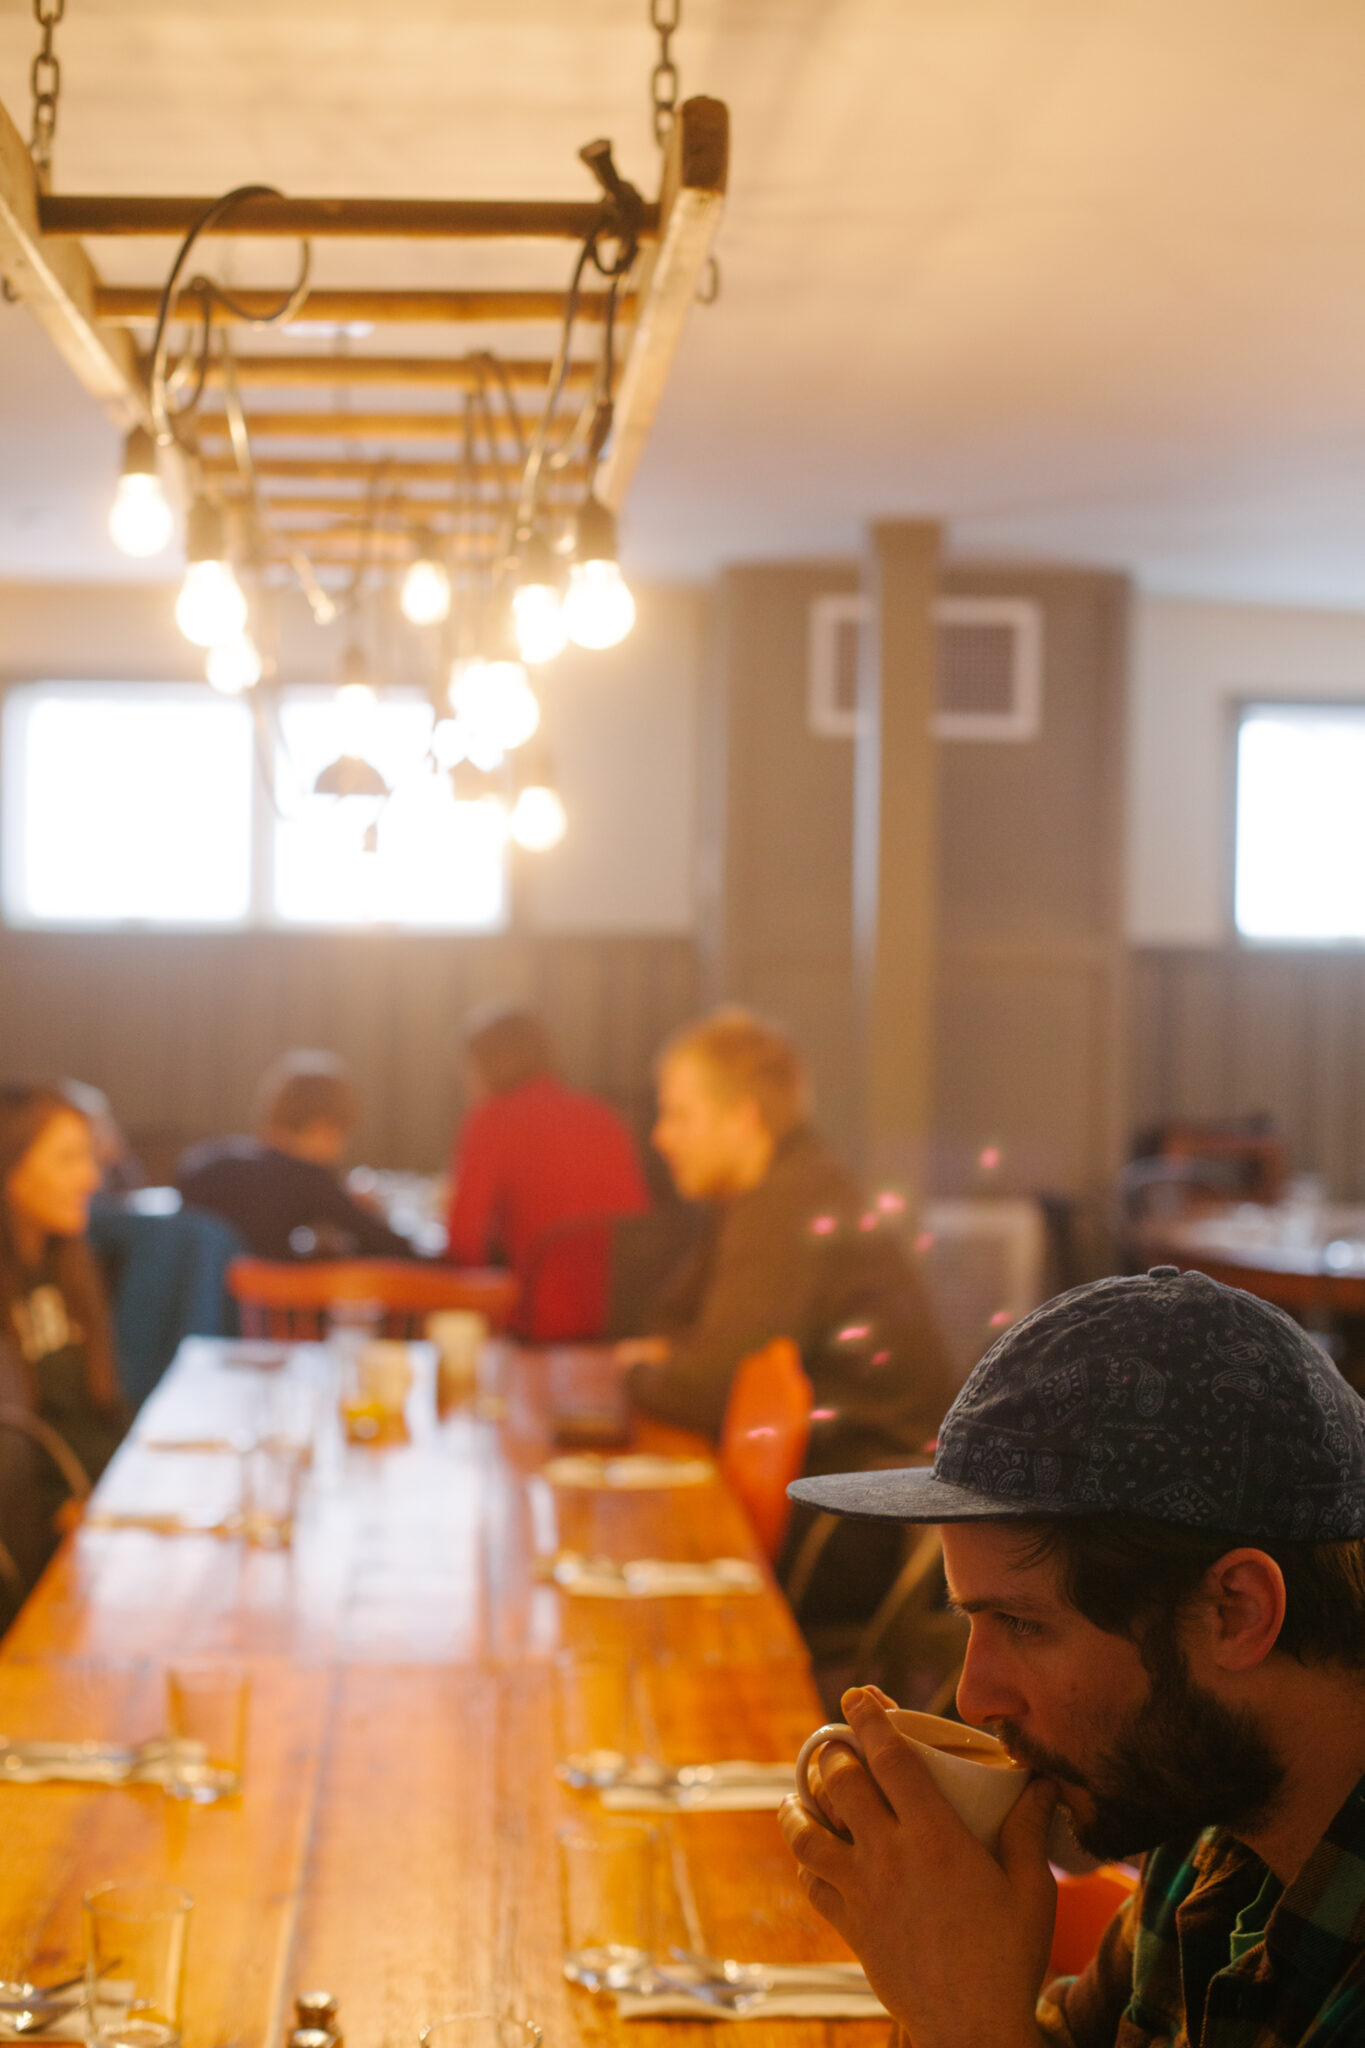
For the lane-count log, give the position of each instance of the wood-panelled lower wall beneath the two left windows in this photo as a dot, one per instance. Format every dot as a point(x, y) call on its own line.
point(179, 1027)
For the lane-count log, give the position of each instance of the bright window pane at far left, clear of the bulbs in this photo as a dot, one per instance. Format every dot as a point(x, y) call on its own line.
point(126, 804)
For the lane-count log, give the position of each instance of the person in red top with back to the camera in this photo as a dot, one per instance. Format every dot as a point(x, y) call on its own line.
point(531, 1162)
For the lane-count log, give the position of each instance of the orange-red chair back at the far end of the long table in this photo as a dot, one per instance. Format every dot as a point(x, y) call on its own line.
point(285, 1299)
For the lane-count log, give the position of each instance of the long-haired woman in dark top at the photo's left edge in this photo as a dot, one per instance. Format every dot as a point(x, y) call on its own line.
point(56, 1347)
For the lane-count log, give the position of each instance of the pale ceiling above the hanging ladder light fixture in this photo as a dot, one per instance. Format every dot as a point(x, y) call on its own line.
point(1084, 278)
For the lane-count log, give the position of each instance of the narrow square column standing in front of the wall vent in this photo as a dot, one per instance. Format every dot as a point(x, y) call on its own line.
point(895, 855)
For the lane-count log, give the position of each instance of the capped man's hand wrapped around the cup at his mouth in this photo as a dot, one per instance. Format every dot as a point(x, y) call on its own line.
point(955, 1940)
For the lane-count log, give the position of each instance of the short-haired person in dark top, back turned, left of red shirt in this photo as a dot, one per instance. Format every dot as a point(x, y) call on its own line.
point(283, 1191)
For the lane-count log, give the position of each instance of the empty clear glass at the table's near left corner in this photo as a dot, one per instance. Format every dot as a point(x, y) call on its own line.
point(136, 1965)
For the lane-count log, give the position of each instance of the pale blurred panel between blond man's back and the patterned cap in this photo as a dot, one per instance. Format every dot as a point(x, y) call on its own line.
point(985, 1263)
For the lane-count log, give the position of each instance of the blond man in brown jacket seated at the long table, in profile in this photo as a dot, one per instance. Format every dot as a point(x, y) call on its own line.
point(791, 1248)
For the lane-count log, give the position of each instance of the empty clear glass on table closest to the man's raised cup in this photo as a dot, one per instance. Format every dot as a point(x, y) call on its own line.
point(609, 1902)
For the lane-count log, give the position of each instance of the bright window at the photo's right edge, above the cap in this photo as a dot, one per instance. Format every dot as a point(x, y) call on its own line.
point(1301, 824)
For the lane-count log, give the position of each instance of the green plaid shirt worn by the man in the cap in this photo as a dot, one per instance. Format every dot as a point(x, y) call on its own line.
point(1165, 1979)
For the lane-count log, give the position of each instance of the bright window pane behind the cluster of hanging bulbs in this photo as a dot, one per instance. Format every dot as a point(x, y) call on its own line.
point(437, 863)
